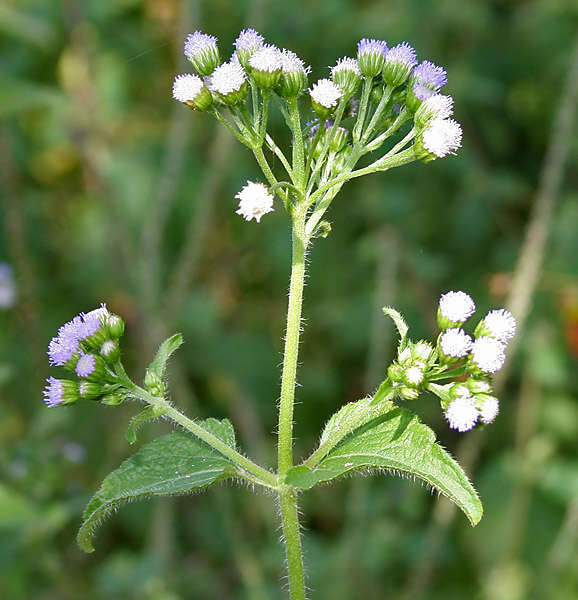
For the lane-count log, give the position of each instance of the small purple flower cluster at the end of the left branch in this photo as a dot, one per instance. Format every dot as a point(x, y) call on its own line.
point(87, 347)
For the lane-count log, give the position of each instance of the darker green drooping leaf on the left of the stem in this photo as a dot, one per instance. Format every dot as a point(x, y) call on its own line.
point(173, 464)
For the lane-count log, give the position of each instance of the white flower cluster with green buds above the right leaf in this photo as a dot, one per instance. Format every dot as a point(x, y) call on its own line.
point(472, 358)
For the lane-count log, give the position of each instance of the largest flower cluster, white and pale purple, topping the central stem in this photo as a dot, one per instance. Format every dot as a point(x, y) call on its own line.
point(363, 100)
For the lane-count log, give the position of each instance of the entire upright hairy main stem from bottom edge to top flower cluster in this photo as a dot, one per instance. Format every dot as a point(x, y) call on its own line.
point(288, 496)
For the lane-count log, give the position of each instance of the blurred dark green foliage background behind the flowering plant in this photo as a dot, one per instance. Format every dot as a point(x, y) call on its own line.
point(111, 191)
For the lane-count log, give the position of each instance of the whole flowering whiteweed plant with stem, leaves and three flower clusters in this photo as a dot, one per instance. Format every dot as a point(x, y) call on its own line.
point(380, 95)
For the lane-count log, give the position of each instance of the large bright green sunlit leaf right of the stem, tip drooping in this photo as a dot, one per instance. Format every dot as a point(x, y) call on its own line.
point(400, 443)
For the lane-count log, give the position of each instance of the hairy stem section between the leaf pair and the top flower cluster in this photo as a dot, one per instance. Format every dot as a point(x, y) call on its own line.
point(299, 246)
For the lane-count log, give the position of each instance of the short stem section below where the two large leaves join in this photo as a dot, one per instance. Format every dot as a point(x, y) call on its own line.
point(293, 550)
